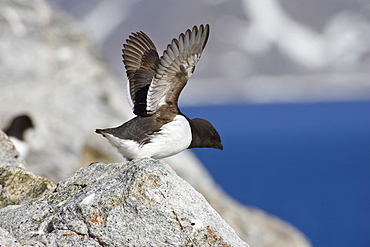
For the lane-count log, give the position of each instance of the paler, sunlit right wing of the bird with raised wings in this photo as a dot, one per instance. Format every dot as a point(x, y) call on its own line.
point(175, 67)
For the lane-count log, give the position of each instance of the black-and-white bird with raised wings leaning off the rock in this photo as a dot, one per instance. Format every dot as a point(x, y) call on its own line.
point(159, 129)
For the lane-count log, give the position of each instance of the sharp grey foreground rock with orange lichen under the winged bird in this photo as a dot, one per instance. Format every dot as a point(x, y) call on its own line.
point(140, 203)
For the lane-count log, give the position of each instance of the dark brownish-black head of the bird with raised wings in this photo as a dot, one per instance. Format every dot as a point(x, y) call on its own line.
point(204, 135)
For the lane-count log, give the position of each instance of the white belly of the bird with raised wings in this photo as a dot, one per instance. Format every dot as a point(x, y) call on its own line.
point(172, 138)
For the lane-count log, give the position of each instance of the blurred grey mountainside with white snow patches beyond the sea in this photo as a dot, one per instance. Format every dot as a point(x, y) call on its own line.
point(264, 51)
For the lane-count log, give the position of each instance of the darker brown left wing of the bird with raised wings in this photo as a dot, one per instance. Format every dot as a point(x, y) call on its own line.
point(141, 62)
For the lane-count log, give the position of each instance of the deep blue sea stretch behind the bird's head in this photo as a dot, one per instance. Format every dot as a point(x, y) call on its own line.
point(308, 164)
